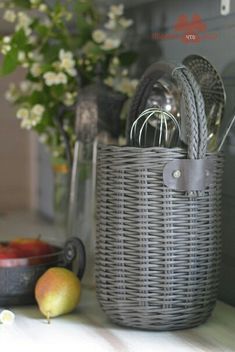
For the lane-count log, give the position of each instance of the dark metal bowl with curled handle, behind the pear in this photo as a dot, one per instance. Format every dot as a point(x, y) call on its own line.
point(19, 276)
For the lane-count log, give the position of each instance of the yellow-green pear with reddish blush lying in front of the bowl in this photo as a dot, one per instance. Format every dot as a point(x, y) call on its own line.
point(57, 292)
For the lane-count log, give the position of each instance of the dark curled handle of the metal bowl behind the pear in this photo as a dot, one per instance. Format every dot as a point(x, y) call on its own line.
point(74, 250)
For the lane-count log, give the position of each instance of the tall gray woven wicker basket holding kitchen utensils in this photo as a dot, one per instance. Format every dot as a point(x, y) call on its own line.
point(158, 239)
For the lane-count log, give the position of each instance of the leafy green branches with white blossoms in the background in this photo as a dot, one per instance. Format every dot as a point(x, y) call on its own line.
point(59, 61)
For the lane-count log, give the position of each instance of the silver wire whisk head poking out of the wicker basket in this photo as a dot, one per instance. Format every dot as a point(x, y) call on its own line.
point(155, 127)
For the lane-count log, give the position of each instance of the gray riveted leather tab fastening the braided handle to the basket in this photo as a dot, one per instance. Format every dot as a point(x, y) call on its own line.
point(188, 174)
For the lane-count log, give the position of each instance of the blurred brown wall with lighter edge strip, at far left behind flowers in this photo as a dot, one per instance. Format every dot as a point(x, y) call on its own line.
point(18, 150)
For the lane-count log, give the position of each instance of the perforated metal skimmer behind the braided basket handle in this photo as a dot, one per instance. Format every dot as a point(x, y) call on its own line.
point(213, 92)
